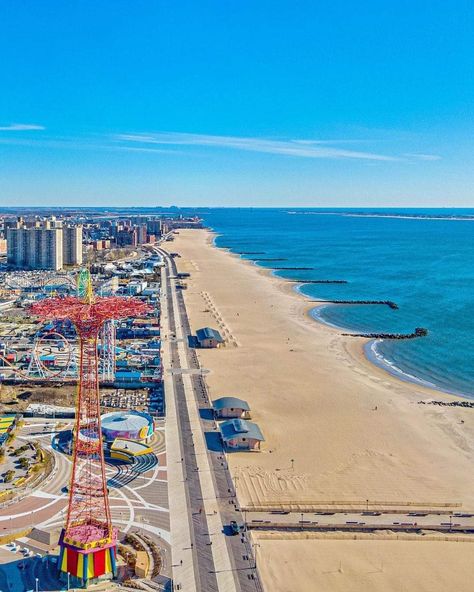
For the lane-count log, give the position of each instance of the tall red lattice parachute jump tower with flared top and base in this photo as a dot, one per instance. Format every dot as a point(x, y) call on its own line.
point(88, 540)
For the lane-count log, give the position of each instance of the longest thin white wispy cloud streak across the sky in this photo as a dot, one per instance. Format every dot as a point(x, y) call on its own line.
point(295, 148)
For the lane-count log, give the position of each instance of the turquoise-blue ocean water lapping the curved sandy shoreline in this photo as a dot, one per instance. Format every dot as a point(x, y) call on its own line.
point(421, 259)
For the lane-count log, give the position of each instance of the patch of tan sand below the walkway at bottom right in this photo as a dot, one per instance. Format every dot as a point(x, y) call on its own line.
point(327, 565)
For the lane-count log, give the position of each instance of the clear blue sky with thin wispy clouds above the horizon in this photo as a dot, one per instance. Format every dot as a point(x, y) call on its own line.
point(311, 103)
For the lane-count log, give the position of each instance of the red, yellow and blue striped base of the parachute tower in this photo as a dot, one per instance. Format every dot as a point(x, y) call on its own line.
point(87, 565)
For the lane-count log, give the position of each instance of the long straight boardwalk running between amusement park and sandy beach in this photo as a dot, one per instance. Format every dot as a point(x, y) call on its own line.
point(202, 497)
